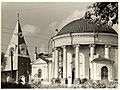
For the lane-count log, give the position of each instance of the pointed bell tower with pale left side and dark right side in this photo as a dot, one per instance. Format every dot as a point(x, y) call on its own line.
point(18, 59)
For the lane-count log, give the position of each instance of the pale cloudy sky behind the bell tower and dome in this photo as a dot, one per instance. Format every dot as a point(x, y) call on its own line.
point(38, 20)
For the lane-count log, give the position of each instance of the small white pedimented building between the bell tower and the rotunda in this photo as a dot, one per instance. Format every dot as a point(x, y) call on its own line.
point(41, 69)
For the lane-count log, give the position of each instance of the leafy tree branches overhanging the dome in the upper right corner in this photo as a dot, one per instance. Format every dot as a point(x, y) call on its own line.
point(104, 13)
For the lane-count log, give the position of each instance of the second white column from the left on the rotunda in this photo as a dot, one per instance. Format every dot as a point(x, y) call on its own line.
point(64, 65)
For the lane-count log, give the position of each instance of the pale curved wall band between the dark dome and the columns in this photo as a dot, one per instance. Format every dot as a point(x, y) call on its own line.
point(85, 38)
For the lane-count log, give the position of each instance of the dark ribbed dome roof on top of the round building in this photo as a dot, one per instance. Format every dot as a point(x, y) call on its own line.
point(84, 26)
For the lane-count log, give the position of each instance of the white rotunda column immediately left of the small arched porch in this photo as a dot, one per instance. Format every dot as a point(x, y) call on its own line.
point(92, 51)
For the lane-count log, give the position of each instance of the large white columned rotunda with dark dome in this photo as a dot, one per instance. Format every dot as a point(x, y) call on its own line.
point(82, 49)
